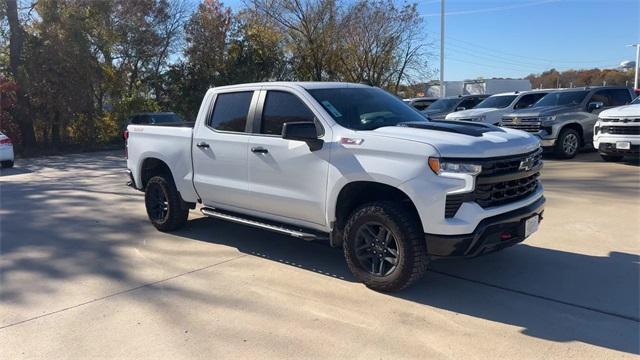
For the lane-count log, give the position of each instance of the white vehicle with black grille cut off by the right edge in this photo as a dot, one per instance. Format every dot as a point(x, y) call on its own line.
point(617, 132)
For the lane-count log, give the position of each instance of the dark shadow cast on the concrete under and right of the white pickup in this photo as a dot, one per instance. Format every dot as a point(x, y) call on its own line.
point(553, 295)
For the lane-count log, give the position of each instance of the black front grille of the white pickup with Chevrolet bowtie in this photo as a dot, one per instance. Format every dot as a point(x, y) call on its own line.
point(502, 181)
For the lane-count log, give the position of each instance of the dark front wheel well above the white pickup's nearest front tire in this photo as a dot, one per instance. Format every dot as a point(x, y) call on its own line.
point(360, 192)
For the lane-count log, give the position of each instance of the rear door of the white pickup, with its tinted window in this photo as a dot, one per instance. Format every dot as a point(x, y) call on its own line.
point(220, 145)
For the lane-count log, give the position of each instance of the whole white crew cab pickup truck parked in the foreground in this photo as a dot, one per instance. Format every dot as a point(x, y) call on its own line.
point(345, 162)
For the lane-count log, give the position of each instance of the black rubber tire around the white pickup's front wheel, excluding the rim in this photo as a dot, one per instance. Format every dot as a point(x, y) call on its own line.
point(412, 260)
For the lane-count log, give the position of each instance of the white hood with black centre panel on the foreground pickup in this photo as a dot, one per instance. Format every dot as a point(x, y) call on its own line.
point(467, 140)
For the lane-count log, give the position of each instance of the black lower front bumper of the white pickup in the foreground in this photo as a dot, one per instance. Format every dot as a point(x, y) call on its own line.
point(487, 236)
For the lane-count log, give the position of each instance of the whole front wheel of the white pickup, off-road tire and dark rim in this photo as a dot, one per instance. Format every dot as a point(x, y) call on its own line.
point(384, 246)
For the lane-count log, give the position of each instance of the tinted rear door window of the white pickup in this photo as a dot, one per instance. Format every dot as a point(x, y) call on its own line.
point(230, 111)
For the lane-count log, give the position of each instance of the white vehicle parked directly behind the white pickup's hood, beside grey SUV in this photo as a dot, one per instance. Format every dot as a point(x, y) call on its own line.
point(491, 109)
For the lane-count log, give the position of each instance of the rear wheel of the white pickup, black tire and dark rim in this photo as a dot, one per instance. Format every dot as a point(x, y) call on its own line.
point(165, 208)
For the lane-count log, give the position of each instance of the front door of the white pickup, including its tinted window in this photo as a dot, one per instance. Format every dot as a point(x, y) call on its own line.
point(287, 180)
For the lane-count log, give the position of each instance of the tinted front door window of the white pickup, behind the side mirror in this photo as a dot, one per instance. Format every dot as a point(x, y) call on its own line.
point(281, 107)
